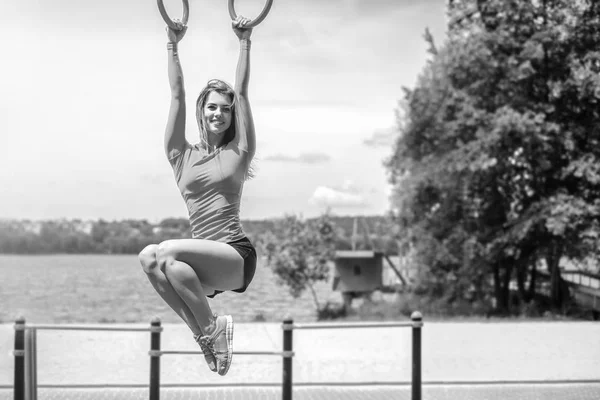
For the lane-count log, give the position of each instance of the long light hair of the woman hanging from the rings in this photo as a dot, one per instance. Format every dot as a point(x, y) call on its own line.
point(216, 85)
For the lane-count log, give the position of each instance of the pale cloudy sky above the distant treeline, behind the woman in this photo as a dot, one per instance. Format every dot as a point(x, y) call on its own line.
point(84, 98)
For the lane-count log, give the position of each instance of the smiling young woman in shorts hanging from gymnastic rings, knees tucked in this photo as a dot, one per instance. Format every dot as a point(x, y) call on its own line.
point(210, 176)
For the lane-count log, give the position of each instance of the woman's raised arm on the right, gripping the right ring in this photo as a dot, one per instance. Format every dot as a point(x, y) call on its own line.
point(247, 137)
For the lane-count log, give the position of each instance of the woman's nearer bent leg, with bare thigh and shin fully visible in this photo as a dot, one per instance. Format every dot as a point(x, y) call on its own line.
point(192, 265)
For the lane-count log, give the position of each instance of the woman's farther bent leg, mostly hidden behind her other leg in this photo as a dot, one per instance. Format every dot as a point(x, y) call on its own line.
point(162, 286)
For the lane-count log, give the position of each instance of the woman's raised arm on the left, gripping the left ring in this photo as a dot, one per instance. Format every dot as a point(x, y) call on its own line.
point(175, 130)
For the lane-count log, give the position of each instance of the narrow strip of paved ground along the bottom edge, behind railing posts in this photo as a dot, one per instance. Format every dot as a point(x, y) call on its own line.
point(451, 392)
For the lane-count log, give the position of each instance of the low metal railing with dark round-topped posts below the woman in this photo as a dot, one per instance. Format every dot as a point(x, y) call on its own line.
point(25, 352)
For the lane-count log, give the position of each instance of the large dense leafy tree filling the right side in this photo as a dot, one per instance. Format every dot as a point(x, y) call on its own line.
point(496, 164)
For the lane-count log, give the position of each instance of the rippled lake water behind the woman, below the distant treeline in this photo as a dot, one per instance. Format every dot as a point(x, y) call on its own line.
point(113, 288)
